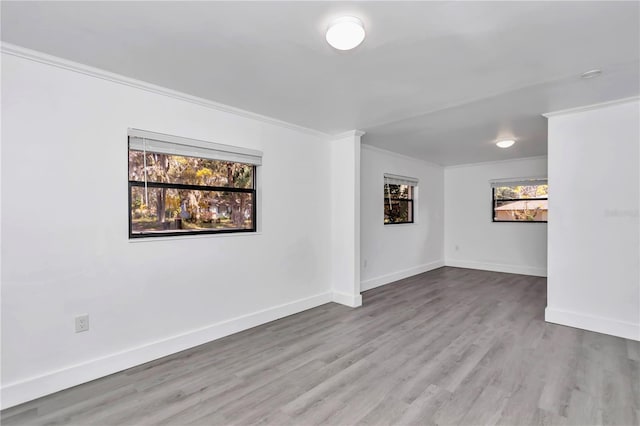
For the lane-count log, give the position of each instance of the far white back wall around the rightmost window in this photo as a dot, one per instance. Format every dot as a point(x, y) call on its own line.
point(472, 239)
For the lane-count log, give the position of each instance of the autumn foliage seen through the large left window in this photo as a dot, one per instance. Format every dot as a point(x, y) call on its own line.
point(173, 195)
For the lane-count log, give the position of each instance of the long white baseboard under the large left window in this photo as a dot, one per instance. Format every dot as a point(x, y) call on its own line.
point(54, 381)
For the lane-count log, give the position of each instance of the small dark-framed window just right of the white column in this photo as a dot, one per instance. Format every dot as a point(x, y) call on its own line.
point(399, 195)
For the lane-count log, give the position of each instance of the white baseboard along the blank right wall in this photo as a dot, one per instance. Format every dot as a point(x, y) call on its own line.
point(627, 330)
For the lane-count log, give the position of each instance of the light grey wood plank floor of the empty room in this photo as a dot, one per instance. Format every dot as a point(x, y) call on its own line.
point(450, 346)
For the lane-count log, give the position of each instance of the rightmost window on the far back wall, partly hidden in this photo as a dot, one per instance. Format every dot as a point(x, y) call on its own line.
point(524, 200)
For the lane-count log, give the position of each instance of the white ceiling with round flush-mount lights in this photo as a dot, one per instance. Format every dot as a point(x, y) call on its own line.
point(435, 80)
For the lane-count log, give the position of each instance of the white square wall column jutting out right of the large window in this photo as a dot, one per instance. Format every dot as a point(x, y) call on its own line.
point(345, 218)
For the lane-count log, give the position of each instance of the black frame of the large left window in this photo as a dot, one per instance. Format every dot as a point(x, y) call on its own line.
point(252, 191)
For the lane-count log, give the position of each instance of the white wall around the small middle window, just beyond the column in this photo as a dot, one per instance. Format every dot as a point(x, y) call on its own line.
point(391, 252)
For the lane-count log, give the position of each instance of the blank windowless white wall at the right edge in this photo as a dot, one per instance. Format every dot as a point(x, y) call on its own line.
point(594, 224)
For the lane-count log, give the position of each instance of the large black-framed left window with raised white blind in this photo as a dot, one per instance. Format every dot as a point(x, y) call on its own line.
point(181, 186)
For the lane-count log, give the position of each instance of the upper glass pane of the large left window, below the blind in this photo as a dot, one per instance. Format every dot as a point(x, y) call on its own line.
point(189, 170)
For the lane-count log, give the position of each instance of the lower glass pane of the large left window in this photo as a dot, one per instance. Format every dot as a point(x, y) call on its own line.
point(163, 210)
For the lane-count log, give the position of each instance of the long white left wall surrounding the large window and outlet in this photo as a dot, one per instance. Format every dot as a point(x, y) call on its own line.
point(65, 243)
